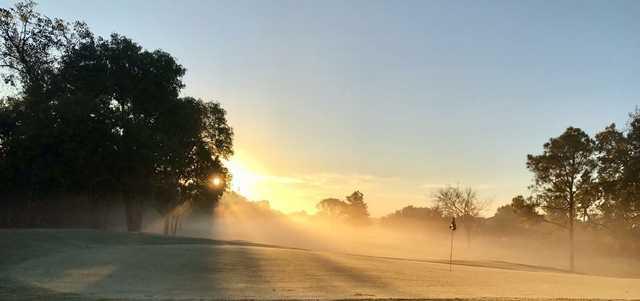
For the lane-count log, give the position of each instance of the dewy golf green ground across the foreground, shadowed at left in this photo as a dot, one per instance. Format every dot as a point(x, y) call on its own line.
point(82, 264)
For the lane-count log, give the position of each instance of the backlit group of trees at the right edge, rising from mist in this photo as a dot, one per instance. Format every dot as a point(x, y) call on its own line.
point(590, 180)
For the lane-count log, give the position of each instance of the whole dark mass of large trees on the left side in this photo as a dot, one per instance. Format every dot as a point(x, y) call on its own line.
point(93, 122)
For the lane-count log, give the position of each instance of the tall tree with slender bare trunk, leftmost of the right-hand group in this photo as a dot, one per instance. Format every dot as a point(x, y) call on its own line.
point(562, 174)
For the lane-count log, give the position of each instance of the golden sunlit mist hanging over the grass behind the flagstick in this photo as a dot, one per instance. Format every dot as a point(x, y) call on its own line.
point(539, 247)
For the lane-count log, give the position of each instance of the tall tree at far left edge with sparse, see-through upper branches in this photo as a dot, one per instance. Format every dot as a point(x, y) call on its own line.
point(30, 49)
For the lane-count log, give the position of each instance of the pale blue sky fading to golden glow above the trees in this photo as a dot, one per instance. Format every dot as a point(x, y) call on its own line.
point(393, 98)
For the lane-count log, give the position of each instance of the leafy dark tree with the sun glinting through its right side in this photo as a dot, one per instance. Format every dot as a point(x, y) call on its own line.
point(196, 138)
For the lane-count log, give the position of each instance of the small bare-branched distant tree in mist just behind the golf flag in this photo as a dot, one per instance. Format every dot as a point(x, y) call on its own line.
point(461, 203)
